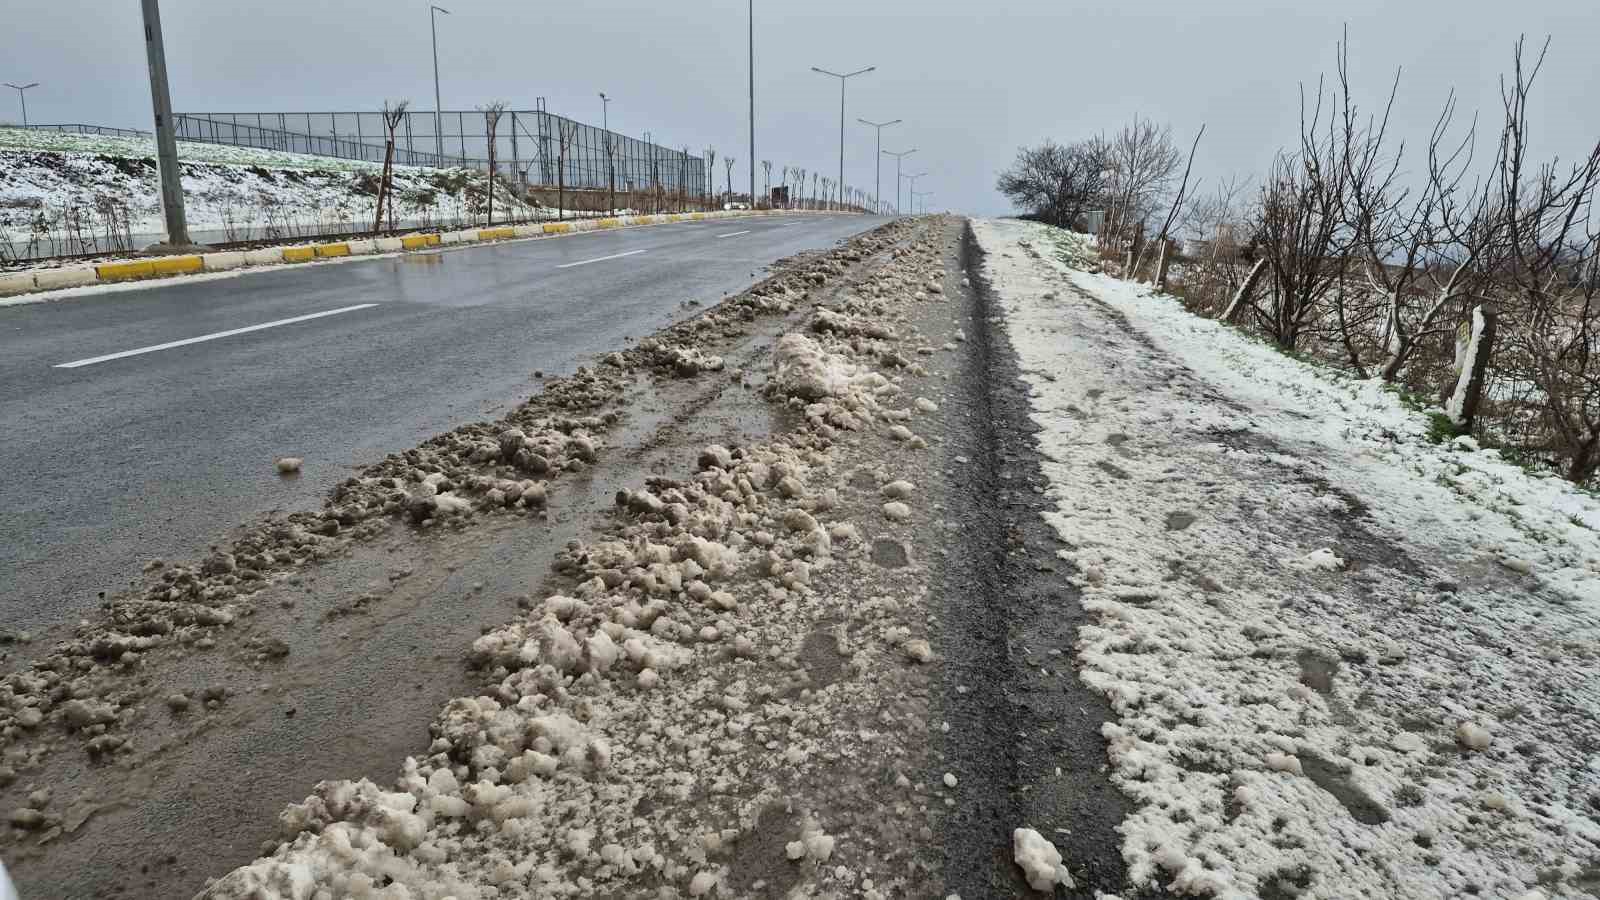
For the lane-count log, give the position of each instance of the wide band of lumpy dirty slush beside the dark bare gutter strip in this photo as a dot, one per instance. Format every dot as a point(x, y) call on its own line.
point(722, 688)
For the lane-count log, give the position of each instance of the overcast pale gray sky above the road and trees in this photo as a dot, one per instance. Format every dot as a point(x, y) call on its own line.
point(972, 81)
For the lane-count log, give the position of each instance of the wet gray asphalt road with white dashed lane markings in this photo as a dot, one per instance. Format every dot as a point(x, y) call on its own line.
point(113, 462)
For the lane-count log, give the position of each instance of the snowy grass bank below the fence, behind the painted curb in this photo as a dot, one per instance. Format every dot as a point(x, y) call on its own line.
point(65, 193)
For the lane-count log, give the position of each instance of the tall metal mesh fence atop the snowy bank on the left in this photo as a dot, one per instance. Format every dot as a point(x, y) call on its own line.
point(532, 147)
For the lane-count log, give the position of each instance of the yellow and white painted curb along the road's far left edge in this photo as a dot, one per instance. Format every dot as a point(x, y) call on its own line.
point(222, 262)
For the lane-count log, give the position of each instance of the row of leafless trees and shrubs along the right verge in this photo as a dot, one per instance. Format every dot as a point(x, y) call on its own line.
point(1401, 263)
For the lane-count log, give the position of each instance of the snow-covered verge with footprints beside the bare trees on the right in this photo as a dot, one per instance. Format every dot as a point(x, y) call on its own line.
point(1346, 662)
